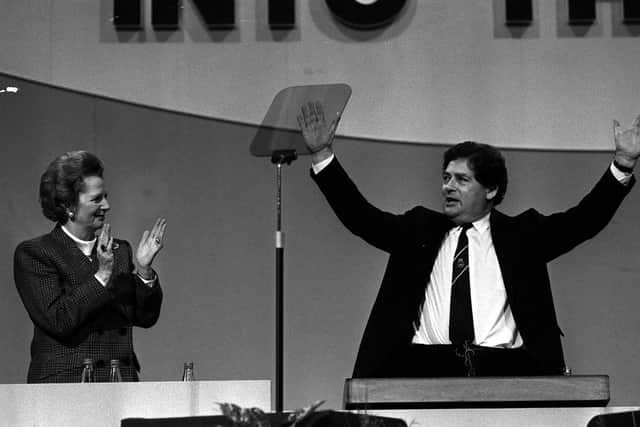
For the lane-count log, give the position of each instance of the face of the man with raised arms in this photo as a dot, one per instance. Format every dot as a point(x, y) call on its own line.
point(464, 199)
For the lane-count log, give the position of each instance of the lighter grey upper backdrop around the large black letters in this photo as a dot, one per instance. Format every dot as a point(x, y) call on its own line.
point(443, 71)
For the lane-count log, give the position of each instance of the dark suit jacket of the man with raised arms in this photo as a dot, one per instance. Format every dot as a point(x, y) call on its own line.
point(524, 245)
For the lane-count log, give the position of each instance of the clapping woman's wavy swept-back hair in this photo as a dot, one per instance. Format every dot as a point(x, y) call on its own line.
point(63, 181)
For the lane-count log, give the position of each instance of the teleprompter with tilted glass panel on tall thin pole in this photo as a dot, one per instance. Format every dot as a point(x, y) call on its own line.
point(279, 138)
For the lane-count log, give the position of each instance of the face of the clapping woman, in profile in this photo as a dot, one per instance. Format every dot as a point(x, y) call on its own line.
point(89, 213)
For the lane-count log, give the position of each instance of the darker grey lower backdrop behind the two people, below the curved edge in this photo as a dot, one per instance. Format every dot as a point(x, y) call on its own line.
point(217, 269)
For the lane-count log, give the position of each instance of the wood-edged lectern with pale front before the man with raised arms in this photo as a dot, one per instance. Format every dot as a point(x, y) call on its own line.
point(564, 401)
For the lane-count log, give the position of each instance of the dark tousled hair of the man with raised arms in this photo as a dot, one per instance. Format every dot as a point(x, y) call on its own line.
point(487, 164)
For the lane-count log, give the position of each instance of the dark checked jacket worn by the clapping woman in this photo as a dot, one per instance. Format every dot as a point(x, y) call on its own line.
point(74, 316)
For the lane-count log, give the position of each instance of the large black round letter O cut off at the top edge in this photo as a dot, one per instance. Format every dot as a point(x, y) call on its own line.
point(365, 14)
